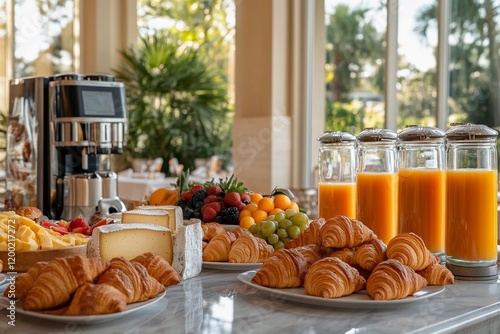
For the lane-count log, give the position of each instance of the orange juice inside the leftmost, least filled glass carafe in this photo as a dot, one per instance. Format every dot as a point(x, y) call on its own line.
point(337, 199)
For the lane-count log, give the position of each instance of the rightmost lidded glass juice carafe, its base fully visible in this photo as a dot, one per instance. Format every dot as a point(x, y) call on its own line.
point(471, 202)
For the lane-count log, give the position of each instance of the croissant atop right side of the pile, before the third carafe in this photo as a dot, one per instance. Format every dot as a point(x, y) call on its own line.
point(409, 249)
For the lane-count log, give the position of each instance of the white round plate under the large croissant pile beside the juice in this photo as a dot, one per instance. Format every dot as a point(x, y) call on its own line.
point(355, 300)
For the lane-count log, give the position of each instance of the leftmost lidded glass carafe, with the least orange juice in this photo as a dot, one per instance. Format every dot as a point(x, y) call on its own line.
point(337, 175)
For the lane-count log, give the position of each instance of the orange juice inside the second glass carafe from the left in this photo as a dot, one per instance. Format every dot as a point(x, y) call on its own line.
point(376, 203)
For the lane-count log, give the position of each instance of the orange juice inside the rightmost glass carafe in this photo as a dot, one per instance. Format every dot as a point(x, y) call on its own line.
point(471, 215)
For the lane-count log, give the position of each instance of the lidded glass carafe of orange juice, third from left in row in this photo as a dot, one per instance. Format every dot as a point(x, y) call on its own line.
point(421, 185)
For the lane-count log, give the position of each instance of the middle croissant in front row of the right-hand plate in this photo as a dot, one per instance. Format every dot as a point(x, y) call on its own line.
point(331, 277)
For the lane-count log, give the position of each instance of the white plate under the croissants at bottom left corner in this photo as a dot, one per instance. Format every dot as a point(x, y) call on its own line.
point(82, 319)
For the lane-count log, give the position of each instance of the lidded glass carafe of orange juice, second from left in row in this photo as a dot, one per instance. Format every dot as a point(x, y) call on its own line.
point(376, 182)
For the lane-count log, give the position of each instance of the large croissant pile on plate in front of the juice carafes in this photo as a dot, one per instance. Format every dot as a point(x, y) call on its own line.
point(341, 256)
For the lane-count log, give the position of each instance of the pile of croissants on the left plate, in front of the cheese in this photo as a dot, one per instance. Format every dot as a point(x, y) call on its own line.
point(78, 285)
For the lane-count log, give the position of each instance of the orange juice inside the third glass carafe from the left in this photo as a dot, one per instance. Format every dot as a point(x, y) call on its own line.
point(421, 205)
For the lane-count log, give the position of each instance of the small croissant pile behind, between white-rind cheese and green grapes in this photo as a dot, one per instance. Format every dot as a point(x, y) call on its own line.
point(237, 246)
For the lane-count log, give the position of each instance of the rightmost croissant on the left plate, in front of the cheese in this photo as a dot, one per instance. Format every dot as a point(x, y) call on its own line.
point(159, 268)
